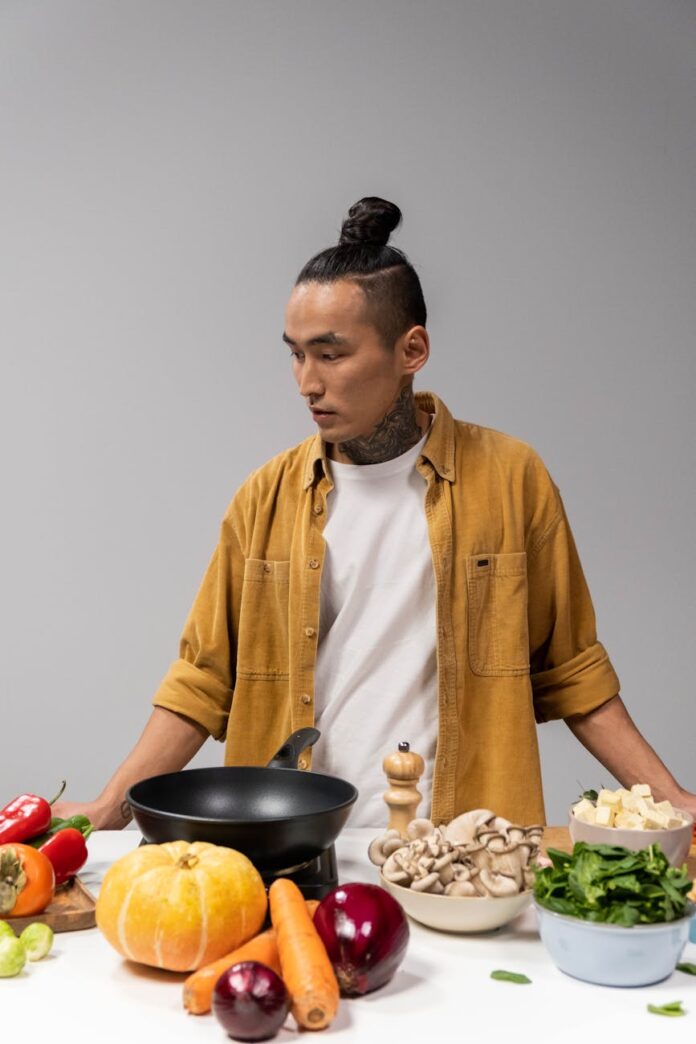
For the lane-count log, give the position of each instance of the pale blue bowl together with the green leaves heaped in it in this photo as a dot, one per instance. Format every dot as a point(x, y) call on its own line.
point(612, 916)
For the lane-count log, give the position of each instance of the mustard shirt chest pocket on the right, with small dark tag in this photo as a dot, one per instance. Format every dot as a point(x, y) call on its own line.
point(498, 630)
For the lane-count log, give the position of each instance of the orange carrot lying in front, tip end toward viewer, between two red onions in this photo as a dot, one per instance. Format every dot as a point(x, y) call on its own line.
point(307, 971)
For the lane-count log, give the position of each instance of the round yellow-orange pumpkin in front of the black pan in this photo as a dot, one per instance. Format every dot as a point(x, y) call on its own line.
point(181, 905)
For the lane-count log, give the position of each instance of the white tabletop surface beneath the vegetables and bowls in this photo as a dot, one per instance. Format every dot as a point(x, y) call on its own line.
point(84, 991)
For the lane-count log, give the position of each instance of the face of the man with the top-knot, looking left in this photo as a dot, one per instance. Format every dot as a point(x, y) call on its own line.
point(349, 379)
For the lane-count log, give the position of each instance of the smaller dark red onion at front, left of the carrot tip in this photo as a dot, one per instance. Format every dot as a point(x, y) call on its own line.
point(251, 1002)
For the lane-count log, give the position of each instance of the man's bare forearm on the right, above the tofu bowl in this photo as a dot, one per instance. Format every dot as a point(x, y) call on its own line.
point(612, 737)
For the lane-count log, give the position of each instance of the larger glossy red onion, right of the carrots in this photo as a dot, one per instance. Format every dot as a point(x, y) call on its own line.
point(366, 934)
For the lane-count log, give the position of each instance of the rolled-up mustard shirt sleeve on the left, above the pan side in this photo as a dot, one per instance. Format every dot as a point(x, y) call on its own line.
point(201, 683)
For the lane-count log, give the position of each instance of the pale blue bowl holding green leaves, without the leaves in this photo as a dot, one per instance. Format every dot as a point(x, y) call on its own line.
point(611, 955)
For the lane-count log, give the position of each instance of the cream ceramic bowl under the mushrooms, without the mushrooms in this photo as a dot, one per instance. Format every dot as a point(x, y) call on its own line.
point(458, 913)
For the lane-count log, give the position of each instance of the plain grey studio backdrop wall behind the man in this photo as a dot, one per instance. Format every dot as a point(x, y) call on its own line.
point(166, 170)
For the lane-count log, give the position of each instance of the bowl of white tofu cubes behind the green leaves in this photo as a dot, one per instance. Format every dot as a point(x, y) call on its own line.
point(633, 820)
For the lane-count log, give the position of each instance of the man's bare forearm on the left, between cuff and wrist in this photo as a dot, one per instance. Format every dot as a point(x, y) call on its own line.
point(167, 744)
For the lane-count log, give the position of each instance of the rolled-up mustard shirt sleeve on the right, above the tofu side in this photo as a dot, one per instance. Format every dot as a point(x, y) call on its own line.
point(571, 673)
